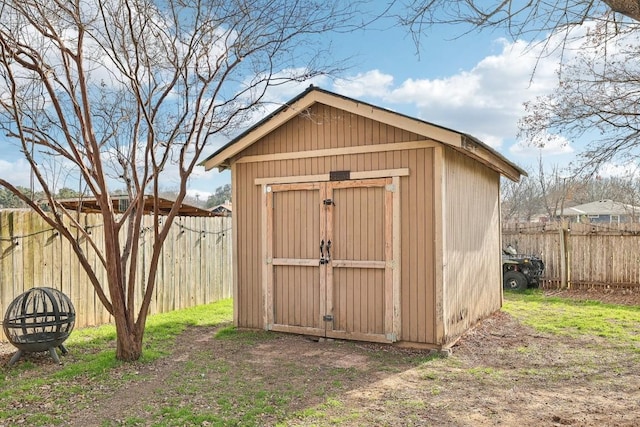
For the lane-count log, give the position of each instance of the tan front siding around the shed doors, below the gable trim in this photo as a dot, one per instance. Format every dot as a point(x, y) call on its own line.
point(417, 251)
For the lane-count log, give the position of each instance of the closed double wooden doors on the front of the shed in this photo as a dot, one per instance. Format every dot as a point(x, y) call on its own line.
point(330, 258)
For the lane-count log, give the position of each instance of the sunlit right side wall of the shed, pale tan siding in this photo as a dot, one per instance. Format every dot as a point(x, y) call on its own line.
point(472, 284)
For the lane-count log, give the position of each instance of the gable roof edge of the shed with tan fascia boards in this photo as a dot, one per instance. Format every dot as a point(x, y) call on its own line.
point(462, 142)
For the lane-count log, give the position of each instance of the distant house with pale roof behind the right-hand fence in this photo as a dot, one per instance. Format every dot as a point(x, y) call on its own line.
point(601, 211)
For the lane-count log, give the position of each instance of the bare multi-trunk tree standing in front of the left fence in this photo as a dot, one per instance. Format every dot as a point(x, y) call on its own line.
point(123, 92)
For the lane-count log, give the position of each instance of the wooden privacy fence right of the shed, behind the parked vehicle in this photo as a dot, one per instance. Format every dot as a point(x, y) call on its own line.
point(580, 255)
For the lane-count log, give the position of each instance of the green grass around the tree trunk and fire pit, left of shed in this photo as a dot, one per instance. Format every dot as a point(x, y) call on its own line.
point(93, 361)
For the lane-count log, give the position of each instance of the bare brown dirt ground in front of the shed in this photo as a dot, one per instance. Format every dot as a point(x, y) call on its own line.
point(500, 373)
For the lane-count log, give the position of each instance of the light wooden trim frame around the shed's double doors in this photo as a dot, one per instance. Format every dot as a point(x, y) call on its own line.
point(392, 247)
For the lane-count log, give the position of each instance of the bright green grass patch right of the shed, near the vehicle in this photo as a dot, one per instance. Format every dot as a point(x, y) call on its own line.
point(560, 316)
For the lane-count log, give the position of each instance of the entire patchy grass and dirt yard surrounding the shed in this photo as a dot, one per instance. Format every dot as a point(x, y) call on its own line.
point(571, 358)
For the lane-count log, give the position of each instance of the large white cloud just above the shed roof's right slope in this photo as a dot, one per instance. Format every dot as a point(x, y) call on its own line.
point(485, 101)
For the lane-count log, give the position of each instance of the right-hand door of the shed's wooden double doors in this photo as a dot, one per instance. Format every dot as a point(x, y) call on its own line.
point(358, 285)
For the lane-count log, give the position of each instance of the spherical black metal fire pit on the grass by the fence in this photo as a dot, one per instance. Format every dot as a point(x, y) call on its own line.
point(40, 319)
